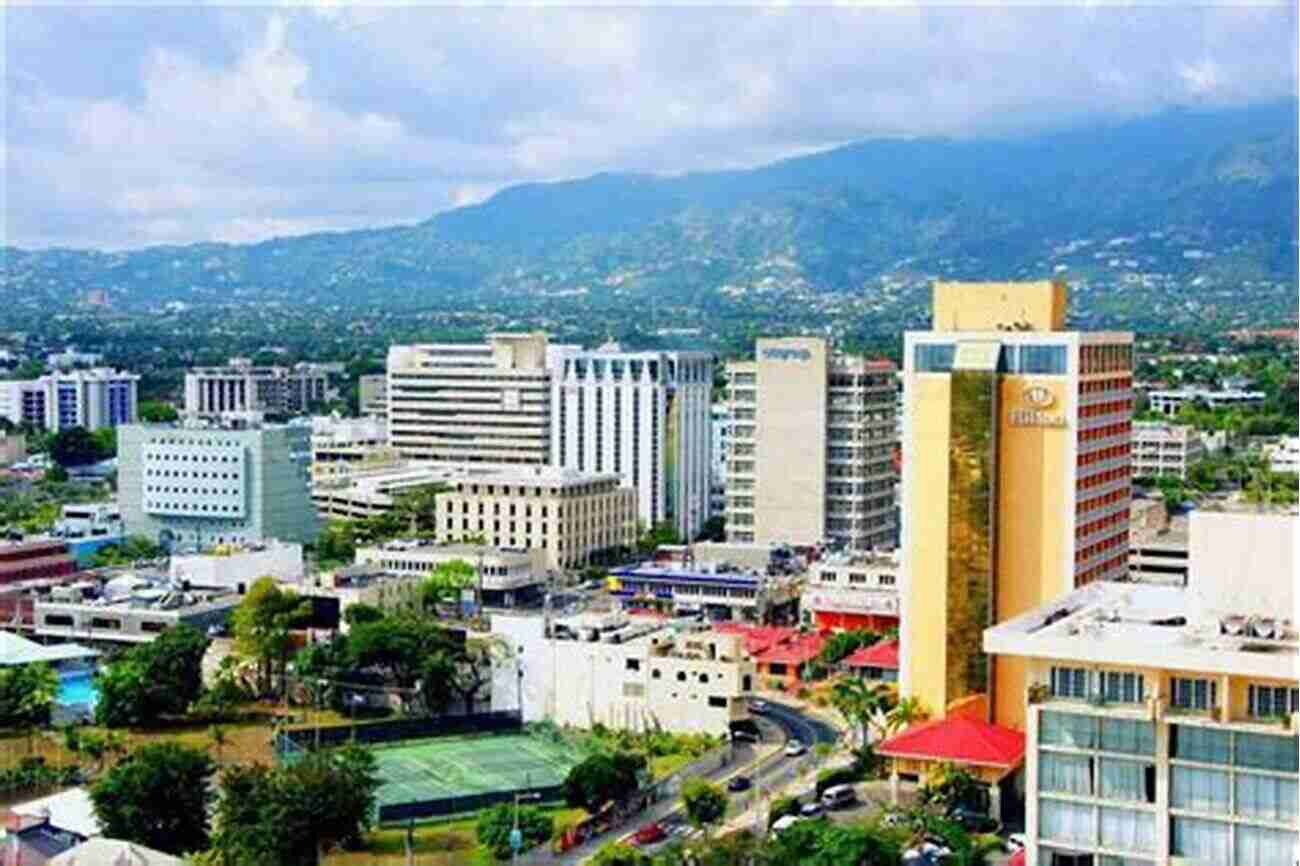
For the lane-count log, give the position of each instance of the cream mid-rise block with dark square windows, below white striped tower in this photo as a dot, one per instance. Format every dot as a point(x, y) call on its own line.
point(573, 517)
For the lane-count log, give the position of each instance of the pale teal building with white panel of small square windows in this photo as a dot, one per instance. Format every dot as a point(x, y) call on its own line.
point(197, 487)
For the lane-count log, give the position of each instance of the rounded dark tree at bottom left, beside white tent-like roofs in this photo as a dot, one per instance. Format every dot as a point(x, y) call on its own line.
point(159, 798)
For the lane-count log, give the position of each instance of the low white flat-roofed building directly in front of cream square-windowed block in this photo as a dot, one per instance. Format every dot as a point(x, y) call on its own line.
point(508, 578)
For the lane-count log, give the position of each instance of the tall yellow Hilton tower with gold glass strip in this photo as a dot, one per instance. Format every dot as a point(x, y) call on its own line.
point(1016, 487)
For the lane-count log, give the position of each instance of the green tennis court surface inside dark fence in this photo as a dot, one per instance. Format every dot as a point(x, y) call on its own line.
point(419, 770)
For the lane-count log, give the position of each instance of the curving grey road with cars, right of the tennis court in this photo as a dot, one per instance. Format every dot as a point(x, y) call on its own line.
point(779, 724)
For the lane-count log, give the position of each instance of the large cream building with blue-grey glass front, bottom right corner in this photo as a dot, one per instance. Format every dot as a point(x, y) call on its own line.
point(1162, 721)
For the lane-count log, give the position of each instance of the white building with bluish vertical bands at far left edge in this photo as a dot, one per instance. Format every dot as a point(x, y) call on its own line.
point(90, 399)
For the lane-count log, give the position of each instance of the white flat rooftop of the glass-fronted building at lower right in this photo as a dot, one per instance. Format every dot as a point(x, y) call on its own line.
point(1141, 625)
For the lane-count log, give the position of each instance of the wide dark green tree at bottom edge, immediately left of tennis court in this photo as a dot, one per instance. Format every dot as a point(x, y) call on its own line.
point(289, 816)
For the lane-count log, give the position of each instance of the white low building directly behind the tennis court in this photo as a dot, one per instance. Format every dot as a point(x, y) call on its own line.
point(640, 676)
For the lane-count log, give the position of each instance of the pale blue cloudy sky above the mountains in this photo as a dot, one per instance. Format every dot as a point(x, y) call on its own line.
point(159, 125)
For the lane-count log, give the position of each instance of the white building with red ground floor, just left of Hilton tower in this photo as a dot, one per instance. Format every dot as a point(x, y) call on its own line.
point(853, 591)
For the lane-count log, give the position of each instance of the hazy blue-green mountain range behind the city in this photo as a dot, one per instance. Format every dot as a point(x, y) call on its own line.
point(1186, 214)
